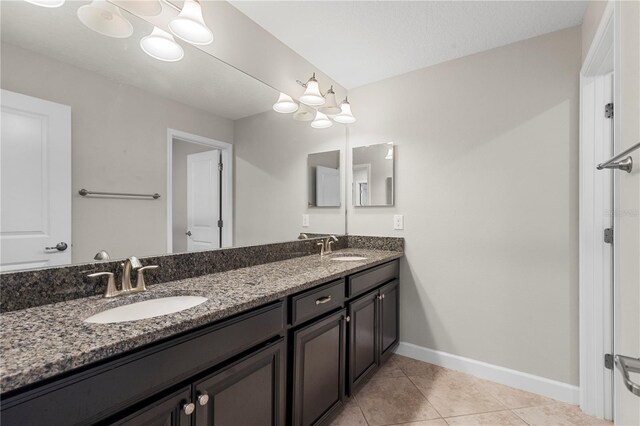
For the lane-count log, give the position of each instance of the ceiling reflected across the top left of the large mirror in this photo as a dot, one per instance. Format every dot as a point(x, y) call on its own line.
point(198, 80)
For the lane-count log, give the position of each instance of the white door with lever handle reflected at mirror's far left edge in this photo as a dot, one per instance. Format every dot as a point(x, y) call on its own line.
point(35, 157)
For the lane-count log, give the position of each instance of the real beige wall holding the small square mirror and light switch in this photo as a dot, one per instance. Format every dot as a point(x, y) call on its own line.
point(486, 176)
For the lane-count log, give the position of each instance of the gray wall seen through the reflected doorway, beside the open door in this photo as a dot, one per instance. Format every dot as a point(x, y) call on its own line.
point(181, 149)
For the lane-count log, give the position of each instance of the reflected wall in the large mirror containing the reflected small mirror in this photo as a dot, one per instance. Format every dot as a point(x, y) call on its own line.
point(271, 178)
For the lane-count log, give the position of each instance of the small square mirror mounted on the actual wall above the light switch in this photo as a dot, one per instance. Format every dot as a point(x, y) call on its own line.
point(373, 175)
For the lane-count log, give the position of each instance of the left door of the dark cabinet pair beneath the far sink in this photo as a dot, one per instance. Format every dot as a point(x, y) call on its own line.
point(363, 338)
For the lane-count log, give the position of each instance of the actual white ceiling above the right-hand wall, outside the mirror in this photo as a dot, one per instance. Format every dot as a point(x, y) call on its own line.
point(360, 42)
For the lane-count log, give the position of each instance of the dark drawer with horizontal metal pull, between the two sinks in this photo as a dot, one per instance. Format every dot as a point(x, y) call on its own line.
point(312, 303)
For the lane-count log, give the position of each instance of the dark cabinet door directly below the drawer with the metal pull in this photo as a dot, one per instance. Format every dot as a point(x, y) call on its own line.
point(318, 369)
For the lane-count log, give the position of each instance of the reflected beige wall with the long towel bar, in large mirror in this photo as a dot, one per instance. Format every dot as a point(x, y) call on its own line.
point(119, 137)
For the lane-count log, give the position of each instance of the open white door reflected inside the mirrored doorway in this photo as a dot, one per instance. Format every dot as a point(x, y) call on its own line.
point(203, 200)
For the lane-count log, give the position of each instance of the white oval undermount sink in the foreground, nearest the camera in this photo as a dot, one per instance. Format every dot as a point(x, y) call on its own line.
point(146, 309)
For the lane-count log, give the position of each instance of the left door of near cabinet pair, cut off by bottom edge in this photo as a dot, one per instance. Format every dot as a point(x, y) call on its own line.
point(173, 410)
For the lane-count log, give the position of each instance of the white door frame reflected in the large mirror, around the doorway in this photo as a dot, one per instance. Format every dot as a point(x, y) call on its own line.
point(226, 150)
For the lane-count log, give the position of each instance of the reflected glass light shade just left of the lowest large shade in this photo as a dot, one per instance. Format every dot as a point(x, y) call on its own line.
point(105, 18)
